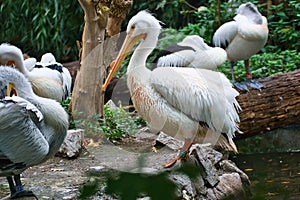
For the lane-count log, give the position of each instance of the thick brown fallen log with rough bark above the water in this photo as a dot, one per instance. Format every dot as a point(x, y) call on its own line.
point(275, 106)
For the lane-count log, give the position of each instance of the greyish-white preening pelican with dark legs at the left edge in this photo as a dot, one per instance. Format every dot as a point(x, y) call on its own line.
point(32, 129)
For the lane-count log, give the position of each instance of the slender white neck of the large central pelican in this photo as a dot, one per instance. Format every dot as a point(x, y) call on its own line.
point(141, 53)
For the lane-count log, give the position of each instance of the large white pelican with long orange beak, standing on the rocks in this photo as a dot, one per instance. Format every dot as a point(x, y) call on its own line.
point(182, 102)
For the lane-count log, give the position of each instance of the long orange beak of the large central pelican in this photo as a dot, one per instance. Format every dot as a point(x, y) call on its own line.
point(128, 44)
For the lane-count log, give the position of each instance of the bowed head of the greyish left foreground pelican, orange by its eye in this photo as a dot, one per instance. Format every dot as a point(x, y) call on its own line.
point(13, 82)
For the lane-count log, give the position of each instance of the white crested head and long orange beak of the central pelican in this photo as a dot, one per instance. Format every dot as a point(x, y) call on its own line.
point(142, 26)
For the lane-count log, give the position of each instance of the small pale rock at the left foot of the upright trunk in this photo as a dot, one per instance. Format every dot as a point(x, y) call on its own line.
point(72, 144)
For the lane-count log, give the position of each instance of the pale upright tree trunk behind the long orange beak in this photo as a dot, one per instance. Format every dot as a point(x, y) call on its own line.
point(97, 53)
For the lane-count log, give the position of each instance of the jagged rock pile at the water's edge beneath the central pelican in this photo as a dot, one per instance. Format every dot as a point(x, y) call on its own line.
point(220, 178)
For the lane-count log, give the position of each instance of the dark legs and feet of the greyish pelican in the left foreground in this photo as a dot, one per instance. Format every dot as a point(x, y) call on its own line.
point(17, 190)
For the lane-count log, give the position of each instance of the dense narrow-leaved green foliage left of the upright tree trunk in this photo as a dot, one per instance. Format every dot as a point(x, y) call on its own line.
point(46, 26)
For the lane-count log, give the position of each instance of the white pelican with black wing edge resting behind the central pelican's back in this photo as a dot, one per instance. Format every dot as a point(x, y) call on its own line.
point(192, 51)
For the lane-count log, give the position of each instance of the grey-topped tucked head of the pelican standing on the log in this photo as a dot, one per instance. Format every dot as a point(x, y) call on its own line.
point(250, 11)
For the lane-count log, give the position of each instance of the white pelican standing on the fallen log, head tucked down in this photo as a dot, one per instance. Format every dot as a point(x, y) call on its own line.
point(242, 38)
